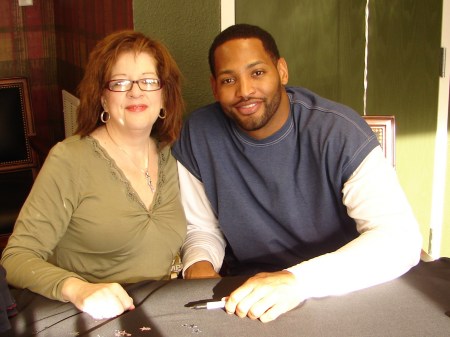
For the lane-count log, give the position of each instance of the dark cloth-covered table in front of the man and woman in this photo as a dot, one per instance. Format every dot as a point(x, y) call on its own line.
point(413, 305)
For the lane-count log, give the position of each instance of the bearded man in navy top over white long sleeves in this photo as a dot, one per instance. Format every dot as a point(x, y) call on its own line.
point(293, 185)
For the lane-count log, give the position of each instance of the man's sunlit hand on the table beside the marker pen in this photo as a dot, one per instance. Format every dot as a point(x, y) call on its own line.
point(265, 296)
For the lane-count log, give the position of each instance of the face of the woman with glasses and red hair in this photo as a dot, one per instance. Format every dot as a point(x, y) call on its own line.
point(136, 109)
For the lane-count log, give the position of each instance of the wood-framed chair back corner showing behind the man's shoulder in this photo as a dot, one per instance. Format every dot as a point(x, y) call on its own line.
point(384, 129)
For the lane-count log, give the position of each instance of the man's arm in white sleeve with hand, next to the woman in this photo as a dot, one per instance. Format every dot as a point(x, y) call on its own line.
point(204, 247)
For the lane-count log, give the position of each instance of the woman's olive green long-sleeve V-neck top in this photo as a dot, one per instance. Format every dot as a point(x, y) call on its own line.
point(83, 218)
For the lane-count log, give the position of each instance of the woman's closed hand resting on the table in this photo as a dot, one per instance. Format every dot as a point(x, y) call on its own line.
point(102, 300)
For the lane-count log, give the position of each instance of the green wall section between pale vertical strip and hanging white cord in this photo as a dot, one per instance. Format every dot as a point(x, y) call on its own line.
point(321, 40)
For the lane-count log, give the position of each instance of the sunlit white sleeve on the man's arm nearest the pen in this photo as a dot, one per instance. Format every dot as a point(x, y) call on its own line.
point(389, 243)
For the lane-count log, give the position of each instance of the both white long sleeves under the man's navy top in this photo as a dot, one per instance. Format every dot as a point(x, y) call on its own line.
point(389, 244)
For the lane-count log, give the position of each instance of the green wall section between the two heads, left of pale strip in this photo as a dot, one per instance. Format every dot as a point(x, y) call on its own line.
point(187, 28)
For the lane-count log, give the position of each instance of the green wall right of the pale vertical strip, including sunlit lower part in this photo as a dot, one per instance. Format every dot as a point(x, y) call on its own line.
point(323, 43)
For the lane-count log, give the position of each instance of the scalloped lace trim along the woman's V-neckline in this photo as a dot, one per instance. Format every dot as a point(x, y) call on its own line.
point(117, 173)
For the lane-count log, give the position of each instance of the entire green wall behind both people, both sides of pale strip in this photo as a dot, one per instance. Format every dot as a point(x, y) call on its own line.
point(323, 43)
